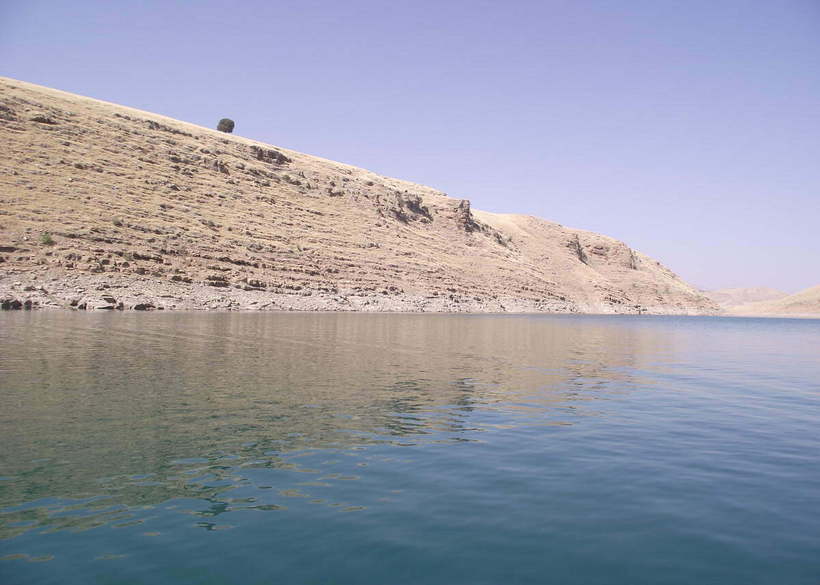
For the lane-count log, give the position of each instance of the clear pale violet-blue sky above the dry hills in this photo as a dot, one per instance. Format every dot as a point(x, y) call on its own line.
point(688, 129)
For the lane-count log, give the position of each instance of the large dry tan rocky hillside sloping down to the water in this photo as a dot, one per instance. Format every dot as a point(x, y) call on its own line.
point(104, 206)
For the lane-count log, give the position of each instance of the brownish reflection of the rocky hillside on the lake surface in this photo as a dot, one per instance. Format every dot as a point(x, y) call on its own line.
point(92, 400)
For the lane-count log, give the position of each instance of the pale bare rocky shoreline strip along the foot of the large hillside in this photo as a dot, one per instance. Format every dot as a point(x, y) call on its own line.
point(85, 292)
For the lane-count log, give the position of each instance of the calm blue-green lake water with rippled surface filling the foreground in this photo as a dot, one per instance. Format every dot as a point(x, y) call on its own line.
point(408, 449)
